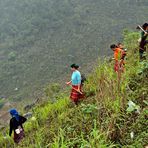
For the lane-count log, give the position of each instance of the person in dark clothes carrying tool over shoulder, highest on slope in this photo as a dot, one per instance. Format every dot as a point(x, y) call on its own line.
point(144, 41)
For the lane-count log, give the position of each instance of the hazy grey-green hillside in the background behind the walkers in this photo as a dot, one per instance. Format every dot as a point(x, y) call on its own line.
point(39, 39)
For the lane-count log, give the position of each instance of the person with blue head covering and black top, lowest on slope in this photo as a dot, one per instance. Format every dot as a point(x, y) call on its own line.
point(16, 125)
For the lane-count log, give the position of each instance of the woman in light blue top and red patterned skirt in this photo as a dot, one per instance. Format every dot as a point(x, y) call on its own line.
point(75, 81)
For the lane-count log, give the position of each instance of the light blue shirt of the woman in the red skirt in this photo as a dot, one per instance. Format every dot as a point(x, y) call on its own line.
point(76, 78)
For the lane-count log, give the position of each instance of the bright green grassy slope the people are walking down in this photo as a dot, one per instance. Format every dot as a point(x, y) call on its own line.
point(103, 119)
